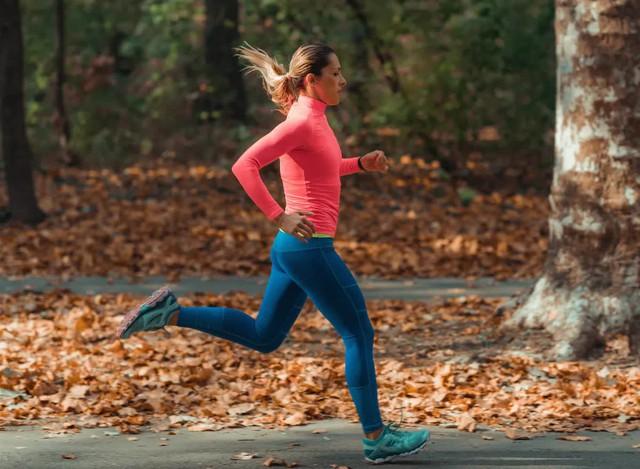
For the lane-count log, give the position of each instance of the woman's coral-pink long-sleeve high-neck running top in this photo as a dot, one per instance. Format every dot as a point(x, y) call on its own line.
point(311, 165)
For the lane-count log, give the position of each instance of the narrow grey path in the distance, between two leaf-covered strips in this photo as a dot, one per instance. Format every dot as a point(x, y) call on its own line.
point(373, 288)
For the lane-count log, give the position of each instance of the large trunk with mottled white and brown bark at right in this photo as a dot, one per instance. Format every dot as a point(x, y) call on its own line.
point(589, 288)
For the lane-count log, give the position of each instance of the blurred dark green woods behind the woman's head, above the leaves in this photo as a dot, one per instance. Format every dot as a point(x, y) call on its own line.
point(467, 82)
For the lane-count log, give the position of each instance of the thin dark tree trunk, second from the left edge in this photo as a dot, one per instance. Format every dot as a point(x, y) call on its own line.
point(63, 127)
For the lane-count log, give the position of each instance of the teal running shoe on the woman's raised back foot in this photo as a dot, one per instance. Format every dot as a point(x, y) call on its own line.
point(151, 315)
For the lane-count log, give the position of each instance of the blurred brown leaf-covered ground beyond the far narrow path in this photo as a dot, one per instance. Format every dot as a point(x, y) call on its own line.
point(176, 220)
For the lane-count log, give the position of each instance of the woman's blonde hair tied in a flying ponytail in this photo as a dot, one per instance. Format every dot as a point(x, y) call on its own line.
point(283, 86)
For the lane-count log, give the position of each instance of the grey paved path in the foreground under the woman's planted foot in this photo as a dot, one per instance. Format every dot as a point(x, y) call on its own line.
point(22, 448)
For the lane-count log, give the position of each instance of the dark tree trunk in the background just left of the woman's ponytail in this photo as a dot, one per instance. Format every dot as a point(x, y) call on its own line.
point(220, 37)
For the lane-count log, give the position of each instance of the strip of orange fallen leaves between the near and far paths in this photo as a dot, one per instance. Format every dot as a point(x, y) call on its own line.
point(439, 363)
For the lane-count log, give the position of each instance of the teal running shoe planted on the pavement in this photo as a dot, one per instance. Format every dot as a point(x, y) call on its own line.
point(393, 442)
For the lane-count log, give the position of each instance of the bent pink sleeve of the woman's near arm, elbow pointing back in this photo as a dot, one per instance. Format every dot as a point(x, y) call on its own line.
point(283, 138)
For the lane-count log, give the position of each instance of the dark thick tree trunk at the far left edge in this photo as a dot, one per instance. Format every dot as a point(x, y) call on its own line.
point(15, 146)
